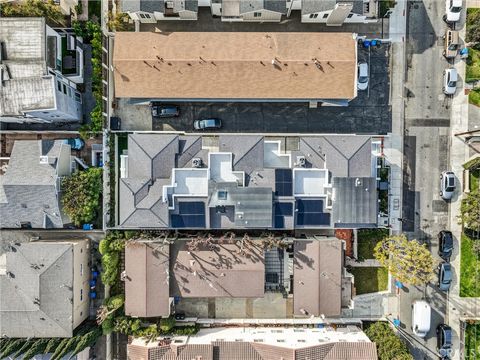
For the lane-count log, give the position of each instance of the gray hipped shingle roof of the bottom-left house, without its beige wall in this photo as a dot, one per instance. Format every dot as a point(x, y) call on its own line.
point(39, 288)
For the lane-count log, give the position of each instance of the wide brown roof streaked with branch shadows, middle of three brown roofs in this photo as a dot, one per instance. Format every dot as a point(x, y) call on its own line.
point(217, 272)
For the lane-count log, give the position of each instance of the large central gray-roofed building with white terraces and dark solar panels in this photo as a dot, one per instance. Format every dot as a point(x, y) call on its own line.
point(171, 181)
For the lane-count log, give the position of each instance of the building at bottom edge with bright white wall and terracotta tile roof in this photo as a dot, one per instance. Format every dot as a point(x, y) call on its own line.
point(259, 343)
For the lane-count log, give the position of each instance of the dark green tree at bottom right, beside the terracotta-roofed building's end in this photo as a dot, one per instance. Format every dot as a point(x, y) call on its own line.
point(389, 346)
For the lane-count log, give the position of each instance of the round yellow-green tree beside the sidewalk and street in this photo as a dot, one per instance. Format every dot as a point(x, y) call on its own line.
point(408, 261)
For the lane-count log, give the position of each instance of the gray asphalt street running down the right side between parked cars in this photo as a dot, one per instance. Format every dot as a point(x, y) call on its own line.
point(426, 154)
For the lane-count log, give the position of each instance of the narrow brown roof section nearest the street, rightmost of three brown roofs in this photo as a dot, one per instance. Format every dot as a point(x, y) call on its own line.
point(317, 277)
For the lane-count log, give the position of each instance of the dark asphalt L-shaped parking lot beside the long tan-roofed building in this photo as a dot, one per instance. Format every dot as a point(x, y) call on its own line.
point(369, 113)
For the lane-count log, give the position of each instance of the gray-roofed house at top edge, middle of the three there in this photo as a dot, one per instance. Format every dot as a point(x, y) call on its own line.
point(252, 10)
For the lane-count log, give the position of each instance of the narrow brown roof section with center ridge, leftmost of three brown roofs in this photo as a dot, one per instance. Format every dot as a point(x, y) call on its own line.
point(146, 283)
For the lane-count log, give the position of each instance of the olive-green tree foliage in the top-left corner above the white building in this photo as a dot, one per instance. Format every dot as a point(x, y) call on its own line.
point(34, 8)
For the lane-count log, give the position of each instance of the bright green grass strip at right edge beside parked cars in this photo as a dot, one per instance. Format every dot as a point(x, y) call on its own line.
point(469, 269)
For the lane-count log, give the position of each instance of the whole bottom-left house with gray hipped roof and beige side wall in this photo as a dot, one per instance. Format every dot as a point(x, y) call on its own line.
point(44, 287)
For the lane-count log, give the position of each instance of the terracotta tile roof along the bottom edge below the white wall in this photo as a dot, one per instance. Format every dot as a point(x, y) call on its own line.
point(227, 350)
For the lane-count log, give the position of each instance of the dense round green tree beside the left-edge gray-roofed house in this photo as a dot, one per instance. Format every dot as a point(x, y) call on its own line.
point(82, 194)
